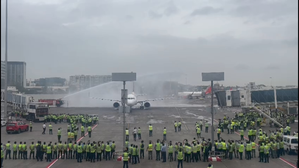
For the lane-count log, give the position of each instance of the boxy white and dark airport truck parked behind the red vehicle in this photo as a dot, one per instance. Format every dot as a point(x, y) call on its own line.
point(37, 111)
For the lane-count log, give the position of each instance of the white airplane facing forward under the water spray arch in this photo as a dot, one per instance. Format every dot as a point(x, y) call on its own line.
point(132, 101)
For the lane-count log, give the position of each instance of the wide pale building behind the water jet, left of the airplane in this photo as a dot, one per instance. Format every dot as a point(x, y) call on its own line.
point(80, 82)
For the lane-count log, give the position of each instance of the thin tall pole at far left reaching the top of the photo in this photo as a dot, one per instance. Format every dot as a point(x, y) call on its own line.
point(5, 82)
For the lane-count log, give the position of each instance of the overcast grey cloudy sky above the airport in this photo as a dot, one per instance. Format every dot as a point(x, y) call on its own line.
point(248, 40)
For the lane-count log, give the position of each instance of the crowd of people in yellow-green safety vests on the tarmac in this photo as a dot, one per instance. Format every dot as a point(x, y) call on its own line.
point(256, 143)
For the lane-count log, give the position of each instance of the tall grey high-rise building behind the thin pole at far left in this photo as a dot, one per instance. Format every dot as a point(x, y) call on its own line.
point(16, 73)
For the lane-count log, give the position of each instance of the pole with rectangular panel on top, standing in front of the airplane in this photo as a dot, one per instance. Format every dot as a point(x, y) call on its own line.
point(123, 77)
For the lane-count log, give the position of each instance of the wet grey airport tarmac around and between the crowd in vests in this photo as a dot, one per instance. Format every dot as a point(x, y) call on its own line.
point(110, 128)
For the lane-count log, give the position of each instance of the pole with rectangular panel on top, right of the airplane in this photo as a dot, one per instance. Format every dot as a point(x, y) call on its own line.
point(212, 76)
